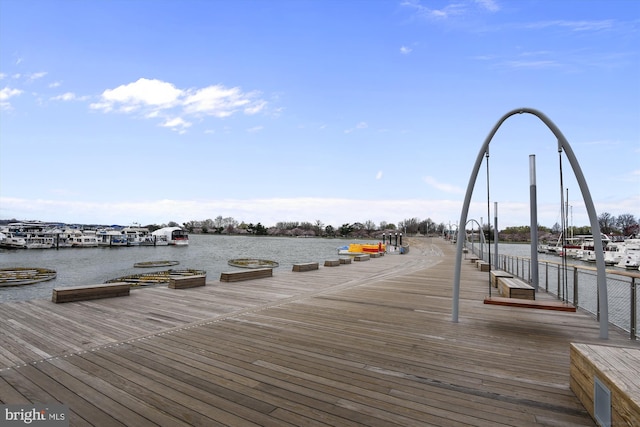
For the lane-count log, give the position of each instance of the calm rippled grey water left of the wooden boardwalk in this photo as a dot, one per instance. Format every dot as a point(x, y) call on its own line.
point(211, 253)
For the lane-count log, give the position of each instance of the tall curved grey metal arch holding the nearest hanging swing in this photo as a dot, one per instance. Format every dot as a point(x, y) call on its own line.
point(586, 195)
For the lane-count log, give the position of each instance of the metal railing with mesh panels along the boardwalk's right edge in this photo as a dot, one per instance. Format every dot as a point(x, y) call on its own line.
point(577, 285)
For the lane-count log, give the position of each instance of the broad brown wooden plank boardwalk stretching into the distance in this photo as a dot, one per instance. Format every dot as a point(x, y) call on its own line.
point(366, 344)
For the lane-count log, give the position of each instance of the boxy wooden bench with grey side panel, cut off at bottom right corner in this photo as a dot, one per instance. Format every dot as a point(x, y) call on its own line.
point(614, 397)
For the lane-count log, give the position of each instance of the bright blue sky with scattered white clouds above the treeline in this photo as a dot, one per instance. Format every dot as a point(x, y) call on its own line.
point(116, 112)
